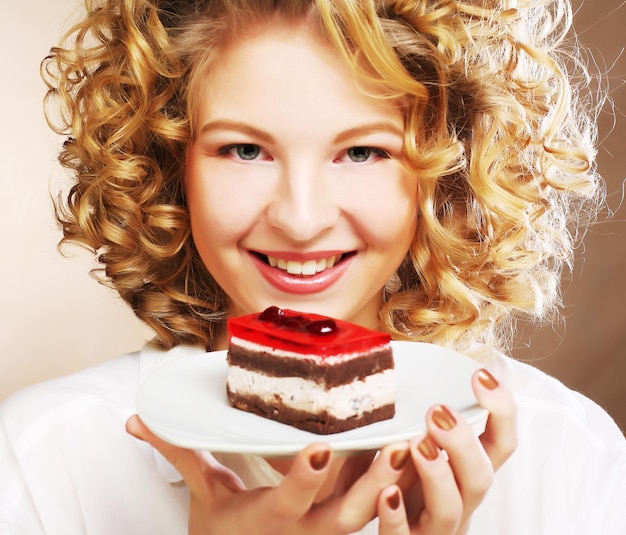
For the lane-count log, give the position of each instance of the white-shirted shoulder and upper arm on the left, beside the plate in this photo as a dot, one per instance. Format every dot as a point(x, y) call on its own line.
point(66, 458)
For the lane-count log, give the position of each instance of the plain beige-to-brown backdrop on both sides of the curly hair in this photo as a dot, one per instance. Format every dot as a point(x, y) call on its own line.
point(55, 319)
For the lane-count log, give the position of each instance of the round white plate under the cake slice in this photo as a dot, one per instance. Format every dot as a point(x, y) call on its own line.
point(184, 402)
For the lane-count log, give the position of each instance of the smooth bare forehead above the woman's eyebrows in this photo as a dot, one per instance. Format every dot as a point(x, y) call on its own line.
point(277, 72)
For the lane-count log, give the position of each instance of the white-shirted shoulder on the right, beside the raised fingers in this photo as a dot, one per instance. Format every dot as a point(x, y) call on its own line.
point(570, 465)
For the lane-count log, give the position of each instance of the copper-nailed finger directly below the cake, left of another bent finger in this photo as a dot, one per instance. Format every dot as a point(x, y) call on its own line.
point(295, 495)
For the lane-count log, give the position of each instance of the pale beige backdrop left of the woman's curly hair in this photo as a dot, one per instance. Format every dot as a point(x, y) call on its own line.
point(54, 318)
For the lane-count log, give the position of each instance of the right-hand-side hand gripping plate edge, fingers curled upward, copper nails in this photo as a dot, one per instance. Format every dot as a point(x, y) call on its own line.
point(451, 487)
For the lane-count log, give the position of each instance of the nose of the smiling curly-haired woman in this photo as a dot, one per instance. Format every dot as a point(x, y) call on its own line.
point(303, 206)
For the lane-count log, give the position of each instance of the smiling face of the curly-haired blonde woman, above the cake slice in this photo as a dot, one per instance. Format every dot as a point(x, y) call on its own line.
point(294, 183)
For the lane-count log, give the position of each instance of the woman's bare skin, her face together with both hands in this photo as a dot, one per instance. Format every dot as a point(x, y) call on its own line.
point(290, 144)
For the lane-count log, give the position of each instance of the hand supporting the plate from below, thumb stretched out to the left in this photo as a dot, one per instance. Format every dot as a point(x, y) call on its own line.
point(220, 504)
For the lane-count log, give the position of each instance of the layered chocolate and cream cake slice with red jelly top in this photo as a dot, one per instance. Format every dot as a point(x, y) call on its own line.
point(310, 371)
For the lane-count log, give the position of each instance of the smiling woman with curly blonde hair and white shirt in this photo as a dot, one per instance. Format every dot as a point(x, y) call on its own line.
point(425, 157)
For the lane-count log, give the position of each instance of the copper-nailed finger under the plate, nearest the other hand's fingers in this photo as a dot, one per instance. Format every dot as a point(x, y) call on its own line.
point(359, 505)
